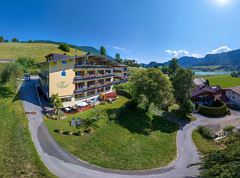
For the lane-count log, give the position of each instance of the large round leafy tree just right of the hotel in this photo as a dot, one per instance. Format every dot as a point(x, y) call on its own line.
point(149, 87)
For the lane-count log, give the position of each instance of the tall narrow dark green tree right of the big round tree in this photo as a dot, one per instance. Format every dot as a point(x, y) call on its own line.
point(182, 84)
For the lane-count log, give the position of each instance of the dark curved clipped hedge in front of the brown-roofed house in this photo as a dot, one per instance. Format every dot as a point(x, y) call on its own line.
point(214, 111)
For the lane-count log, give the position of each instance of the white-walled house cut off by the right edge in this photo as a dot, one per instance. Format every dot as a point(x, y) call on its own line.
point(233, 95)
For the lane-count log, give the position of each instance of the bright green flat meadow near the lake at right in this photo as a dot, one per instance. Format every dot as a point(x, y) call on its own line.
point(224, 81)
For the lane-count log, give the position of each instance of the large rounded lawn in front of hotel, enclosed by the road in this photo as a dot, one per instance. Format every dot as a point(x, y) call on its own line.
point(120, 144)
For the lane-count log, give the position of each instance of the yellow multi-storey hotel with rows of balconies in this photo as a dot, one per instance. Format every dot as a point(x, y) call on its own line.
point(80, 77)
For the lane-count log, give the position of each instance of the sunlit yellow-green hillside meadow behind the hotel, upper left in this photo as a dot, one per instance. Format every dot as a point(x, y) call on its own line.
point(36, 51)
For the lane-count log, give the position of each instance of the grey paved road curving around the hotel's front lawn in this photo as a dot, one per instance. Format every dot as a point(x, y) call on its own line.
point(65, 165)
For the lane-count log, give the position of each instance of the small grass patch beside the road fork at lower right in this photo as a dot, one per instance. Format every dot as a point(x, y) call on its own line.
point(204, 145)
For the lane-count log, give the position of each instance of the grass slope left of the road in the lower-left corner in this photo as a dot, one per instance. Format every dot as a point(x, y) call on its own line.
point(18, 157)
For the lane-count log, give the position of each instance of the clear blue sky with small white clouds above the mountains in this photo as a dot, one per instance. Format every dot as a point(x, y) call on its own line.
point(147, 30)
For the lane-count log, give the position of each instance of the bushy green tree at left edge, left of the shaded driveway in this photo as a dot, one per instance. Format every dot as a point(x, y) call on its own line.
point(10, 76)
